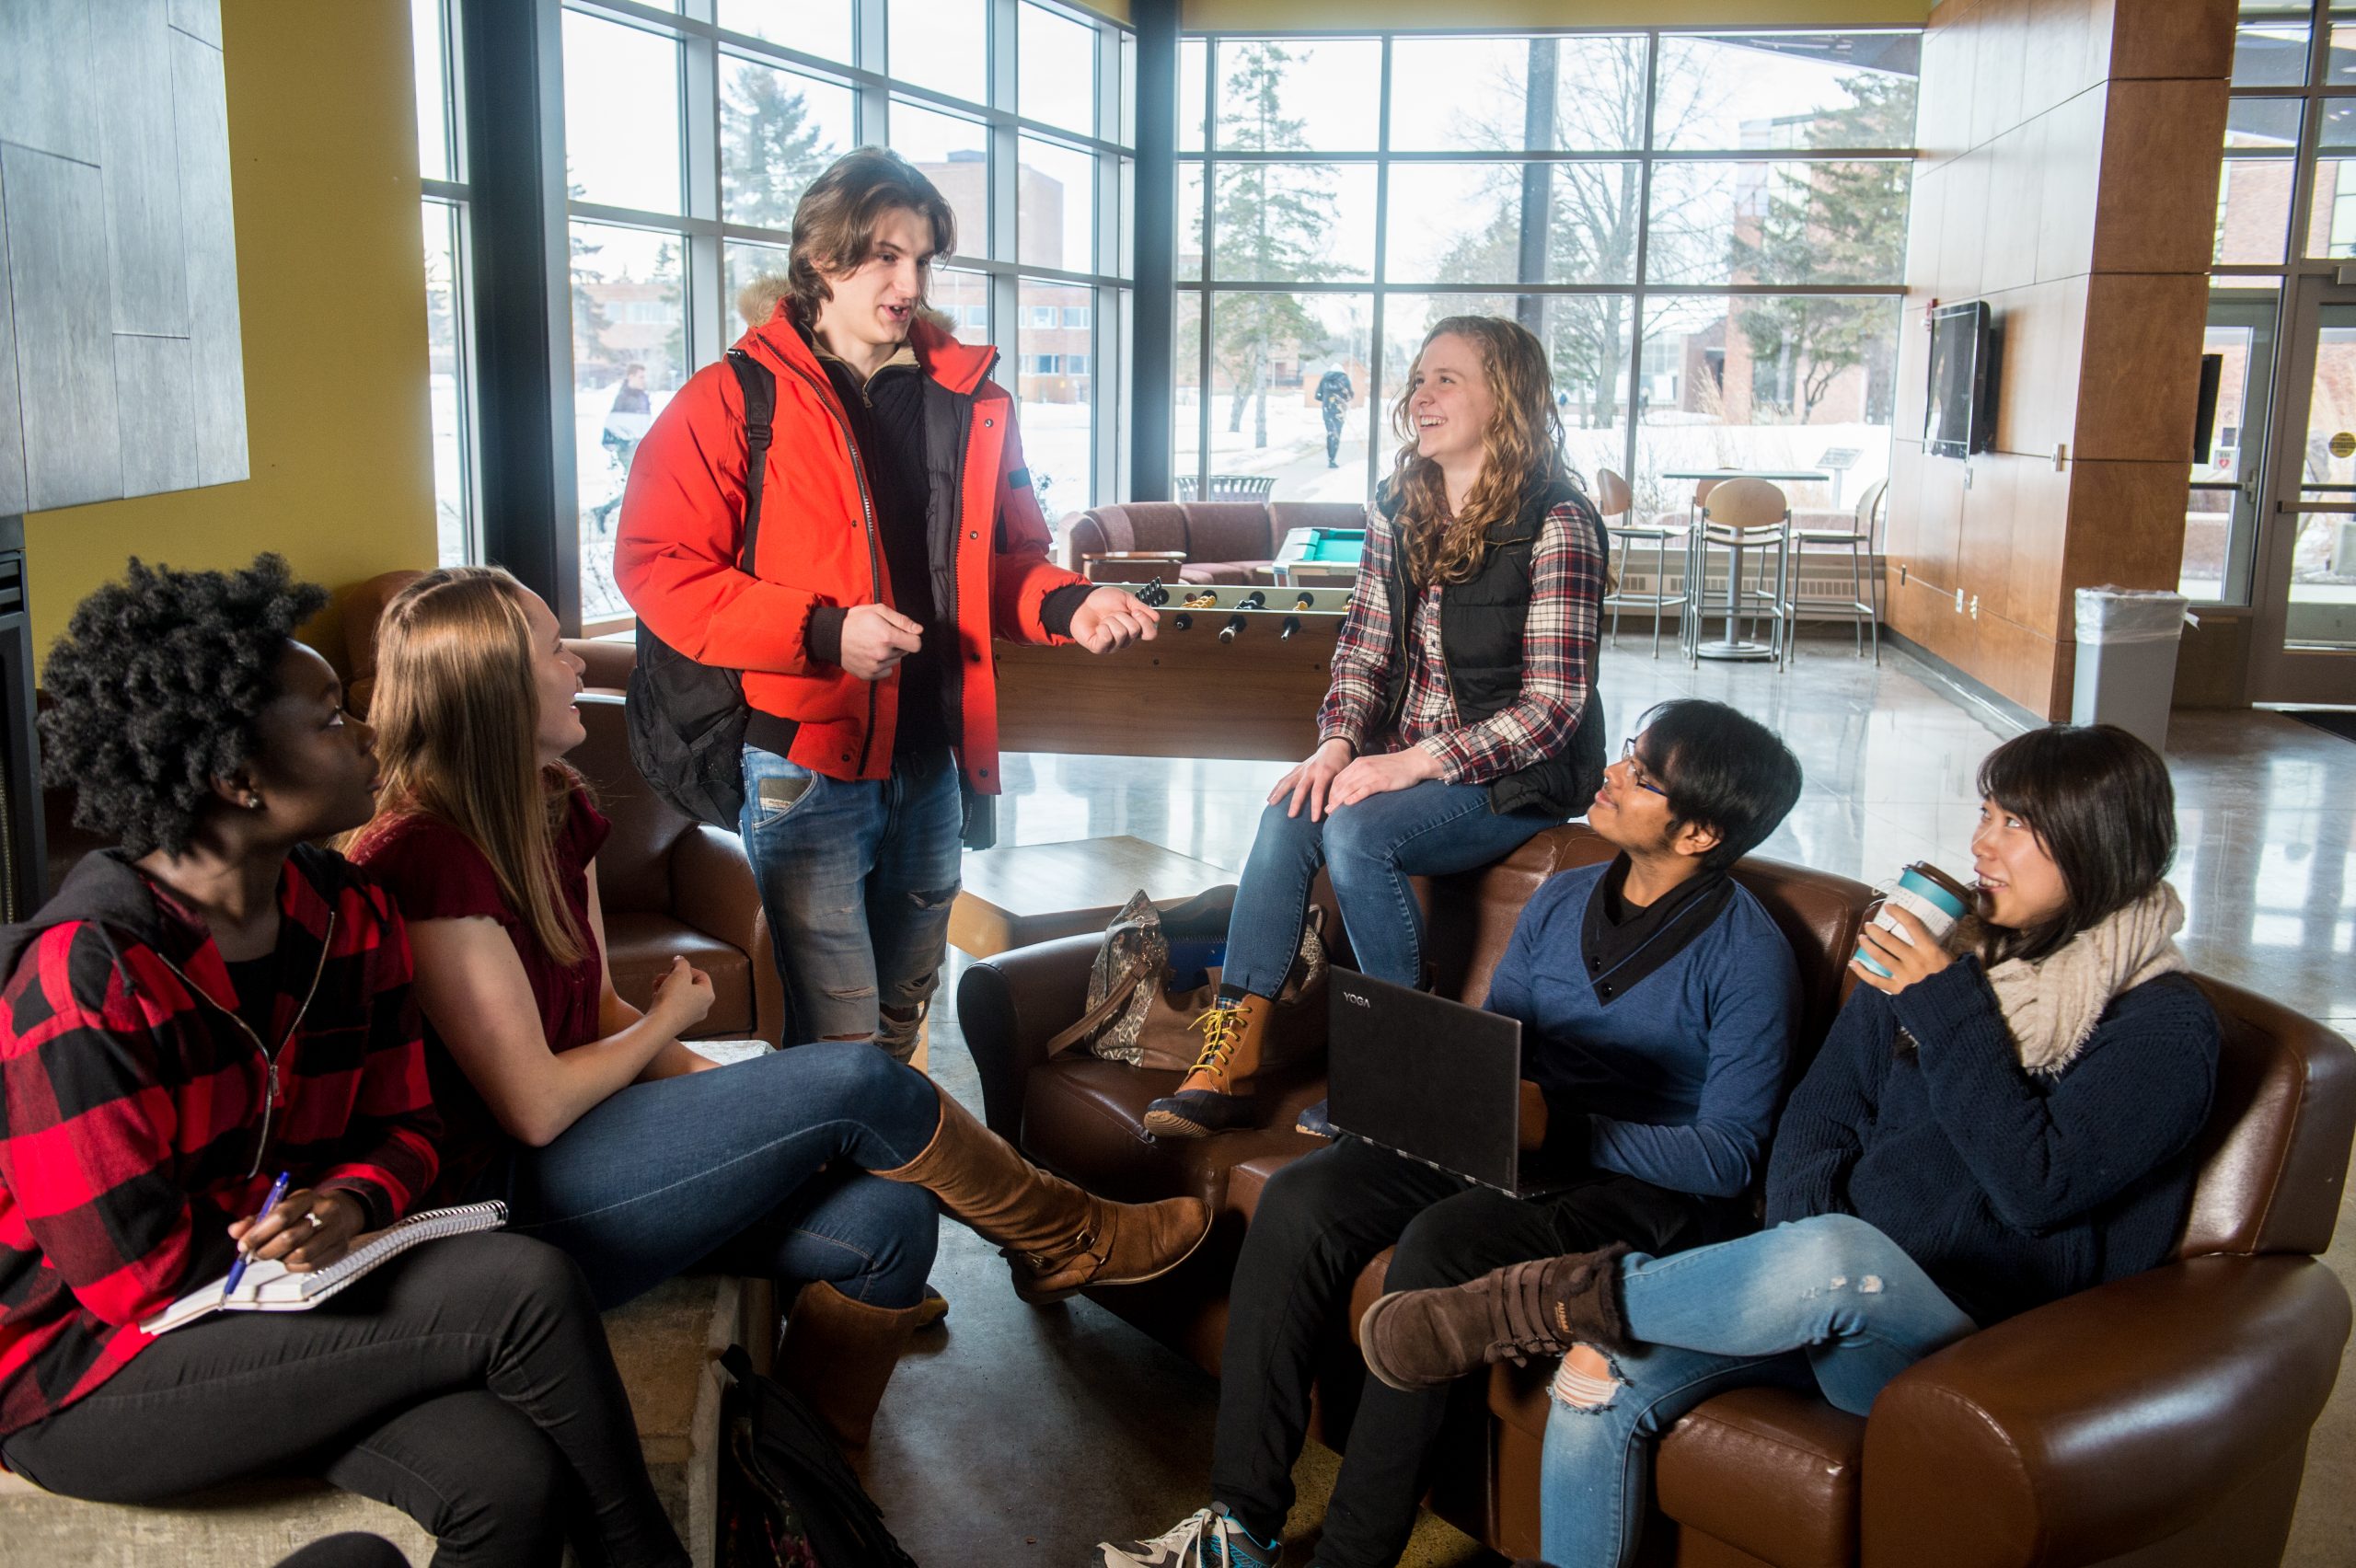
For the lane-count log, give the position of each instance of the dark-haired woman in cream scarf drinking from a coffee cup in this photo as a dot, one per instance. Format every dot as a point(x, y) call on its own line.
point(1999, 1119)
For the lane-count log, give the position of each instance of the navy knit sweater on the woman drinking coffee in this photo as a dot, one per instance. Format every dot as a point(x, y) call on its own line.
point(2011, 1190)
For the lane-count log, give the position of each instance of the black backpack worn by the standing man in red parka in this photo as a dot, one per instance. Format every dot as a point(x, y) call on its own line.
point(687, 719)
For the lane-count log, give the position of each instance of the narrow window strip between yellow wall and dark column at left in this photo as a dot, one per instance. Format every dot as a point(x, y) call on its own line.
point(442, 168)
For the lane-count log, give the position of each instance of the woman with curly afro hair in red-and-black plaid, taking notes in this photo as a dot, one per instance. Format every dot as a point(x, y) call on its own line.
point(213, 1004)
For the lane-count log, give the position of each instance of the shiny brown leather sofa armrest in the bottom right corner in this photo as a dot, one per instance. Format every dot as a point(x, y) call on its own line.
point(2100, 1423)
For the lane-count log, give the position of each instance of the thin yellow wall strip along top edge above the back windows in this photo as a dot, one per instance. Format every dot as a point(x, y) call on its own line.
point(1382, 15)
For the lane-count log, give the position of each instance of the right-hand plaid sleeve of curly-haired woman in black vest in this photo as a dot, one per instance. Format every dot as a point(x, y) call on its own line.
point(1558, 660)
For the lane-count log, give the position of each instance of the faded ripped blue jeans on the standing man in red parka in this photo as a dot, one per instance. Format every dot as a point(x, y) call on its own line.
point(856, 879)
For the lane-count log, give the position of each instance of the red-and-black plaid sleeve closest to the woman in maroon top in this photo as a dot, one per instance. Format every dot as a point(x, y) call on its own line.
point(395, 1129)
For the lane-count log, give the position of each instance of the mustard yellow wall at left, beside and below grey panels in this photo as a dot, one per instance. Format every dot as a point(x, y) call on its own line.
point(331, 291)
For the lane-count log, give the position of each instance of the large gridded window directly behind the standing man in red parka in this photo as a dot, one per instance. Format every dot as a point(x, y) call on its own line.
point(694, 135)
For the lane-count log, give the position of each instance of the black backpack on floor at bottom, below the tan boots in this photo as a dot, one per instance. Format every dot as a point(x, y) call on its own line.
point(788, 1496)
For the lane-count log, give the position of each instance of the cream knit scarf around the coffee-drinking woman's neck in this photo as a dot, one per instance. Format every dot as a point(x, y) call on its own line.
point(2051, 1006)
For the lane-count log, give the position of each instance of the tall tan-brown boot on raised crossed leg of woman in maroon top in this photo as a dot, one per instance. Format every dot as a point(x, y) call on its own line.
point(1057, 1237)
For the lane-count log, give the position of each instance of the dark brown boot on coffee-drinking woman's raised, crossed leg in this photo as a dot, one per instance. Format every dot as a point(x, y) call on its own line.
point(1429, 1338)
